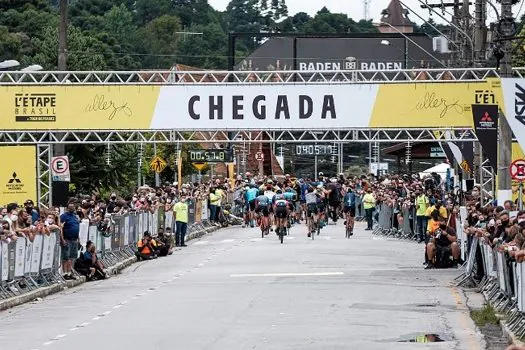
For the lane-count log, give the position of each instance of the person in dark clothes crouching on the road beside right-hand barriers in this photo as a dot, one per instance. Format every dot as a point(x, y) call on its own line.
point(442, 246)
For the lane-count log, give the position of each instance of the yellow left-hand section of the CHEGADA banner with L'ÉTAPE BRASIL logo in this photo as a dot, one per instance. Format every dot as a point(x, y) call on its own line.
point(77, 107)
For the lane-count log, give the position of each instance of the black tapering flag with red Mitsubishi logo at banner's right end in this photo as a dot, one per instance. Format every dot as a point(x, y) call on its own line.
point(486, 127)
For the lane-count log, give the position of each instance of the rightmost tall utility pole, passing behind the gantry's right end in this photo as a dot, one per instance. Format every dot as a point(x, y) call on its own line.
point(505, 133)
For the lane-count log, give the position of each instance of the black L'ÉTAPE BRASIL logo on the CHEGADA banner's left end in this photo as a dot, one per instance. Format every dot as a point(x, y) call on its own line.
point(35, 107)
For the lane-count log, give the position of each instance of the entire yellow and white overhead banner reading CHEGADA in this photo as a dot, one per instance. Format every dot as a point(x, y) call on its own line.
point(244, 107)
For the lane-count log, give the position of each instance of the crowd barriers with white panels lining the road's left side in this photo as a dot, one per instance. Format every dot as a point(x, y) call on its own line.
point(26, 265)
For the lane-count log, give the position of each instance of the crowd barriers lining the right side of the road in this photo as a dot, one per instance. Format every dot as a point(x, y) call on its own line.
point(501, 278)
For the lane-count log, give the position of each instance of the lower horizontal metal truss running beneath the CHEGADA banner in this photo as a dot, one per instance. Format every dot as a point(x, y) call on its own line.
point(105, 137)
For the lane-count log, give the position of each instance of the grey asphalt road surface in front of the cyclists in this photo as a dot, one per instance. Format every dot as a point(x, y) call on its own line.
point(235, 290)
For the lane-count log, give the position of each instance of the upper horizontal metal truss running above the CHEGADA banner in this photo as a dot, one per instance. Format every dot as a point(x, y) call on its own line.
point(249, 77)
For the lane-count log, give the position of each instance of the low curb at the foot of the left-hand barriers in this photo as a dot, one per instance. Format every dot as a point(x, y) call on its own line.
point(59, 287)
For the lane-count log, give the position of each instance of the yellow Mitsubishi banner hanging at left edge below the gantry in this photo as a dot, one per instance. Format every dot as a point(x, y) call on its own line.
point(18, 174)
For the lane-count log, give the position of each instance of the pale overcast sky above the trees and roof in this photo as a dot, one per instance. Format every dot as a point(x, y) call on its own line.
point(353, 8)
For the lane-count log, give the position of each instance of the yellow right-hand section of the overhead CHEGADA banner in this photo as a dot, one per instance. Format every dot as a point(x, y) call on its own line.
point(431, 105)
